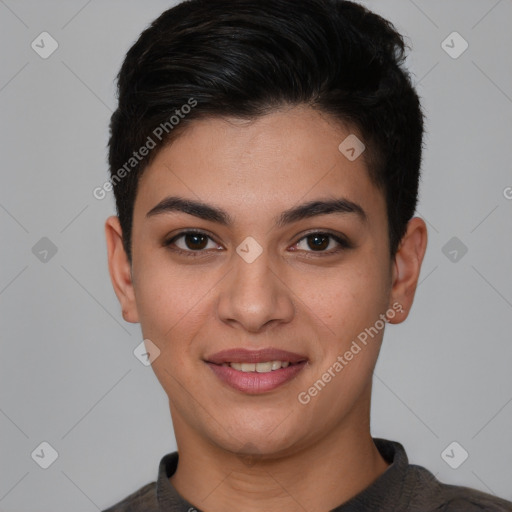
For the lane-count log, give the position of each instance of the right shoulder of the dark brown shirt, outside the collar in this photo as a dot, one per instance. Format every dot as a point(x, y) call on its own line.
point(434, 496)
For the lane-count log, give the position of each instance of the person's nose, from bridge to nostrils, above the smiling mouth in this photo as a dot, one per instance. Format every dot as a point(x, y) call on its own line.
point(254, 296)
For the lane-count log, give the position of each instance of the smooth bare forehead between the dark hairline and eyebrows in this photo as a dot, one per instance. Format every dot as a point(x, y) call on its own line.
point(269, 163)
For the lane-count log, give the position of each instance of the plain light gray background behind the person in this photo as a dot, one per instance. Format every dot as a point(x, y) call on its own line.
point(68, 375)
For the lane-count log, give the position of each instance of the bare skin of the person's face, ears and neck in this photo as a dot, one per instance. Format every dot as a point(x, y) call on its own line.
point(261, 452)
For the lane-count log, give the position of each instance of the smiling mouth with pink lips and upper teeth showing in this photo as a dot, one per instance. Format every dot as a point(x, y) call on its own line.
point(256, 371)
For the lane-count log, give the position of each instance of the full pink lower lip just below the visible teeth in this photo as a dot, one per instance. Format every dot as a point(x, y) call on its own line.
point(254, 383)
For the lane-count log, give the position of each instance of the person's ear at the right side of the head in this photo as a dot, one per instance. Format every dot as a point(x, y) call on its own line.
point(406, 269)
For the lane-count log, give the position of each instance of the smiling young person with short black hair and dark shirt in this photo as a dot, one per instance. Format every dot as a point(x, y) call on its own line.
point(265, 159)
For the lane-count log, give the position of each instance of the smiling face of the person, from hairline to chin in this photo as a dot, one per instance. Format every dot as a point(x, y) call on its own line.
point(263, 273)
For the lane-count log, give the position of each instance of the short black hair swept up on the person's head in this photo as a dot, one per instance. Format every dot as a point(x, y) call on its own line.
point(248, 58)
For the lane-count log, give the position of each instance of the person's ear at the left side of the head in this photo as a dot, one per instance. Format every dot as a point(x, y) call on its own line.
point(120, 269)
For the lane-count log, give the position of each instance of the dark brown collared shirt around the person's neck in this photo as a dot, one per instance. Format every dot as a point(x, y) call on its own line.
point(402, 487)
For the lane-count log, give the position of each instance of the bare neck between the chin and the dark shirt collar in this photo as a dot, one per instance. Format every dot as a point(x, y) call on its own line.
point(319, 477)
